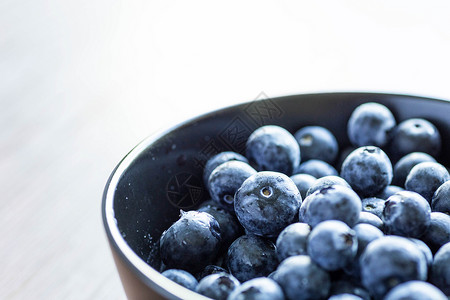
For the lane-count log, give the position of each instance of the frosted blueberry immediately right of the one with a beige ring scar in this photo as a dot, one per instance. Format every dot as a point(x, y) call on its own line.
point(336, 202)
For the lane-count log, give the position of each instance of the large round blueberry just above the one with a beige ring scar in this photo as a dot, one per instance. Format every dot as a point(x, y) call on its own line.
point(273, 148)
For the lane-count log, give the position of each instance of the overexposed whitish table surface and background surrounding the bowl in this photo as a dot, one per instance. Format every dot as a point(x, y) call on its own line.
point(82, 82)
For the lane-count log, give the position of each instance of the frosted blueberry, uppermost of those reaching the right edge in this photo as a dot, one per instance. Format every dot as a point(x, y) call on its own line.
point(425, 178)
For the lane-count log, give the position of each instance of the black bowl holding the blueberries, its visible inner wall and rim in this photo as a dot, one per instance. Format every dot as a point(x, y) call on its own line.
point(163, 174)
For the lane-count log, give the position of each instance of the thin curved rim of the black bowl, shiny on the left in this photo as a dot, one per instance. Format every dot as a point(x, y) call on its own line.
point(151, 277)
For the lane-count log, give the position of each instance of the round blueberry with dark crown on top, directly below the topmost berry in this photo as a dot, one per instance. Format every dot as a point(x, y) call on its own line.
point(368, 170)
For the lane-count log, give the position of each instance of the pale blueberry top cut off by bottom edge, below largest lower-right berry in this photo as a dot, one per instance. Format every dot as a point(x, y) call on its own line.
point(416, 290)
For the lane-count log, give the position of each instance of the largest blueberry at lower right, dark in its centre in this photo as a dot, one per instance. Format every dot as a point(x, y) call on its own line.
point(389, 261)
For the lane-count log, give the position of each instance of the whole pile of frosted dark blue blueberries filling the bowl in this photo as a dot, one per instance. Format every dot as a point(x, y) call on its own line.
point(297, 217)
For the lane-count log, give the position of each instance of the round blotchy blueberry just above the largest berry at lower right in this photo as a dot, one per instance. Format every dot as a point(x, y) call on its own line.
point(407, 214)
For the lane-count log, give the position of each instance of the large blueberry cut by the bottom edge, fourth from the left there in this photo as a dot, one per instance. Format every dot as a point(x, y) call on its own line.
point(302, 279)
